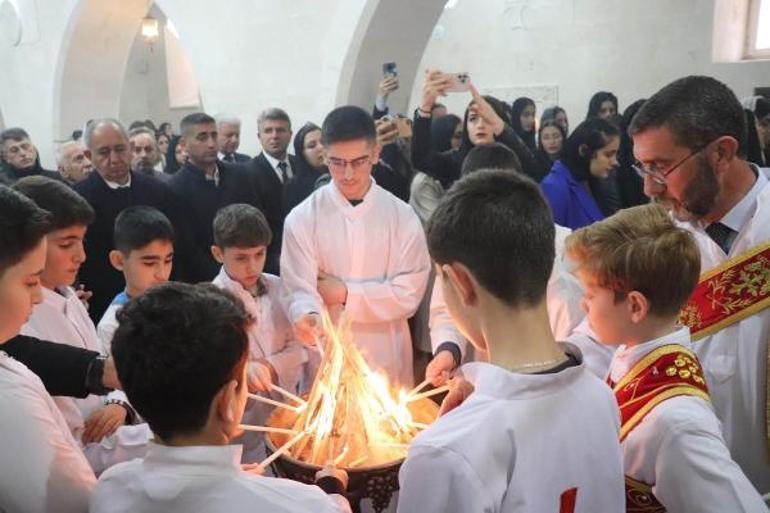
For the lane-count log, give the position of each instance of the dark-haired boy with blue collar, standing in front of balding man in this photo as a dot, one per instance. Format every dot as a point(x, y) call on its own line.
point(144, 253)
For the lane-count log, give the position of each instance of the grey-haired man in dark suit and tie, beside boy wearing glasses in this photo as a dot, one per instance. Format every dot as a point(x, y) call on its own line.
point(273, 168)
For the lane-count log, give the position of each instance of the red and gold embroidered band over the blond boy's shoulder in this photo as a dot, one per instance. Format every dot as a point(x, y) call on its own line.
point(668, 371)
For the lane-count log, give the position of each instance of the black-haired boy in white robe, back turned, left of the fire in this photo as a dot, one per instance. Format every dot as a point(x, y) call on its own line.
point(181, 353)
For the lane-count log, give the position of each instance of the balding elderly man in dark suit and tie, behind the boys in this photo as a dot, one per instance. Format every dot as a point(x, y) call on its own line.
point(112, 188)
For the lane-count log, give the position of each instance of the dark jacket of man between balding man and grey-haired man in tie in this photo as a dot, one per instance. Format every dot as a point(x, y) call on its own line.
point(200, 199)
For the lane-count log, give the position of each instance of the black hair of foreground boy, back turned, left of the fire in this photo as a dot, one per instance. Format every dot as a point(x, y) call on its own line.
point(175, 347)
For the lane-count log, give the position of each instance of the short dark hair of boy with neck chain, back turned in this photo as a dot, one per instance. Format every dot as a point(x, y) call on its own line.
point(498, 225)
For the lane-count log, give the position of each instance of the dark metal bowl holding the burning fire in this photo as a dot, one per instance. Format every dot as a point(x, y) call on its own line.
point(377, 483)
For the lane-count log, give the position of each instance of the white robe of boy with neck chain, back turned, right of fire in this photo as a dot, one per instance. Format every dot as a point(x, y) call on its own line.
point(517, 444)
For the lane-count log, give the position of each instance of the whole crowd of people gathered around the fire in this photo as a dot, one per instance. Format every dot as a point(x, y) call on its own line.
point(578, 325)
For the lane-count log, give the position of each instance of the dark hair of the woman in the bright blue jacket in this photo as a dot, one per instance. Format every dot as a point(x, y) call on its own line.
point(590, 136)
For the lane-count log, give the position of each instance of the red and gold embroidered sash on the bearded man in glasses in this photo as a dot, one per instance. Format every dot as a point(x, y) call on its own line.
point(729, 293)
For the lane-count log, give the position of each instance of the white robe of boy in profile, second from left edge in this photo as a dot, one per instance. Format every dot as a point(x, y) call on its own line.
point(62, 318)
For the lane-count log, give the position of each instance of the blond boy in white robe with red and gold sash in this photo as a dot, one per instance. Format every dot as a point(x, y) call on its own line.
point(638, 271)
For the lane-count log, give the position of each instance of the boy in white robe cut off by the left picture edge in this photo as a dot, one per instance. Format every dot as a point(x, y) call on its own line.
point(42, 468)
